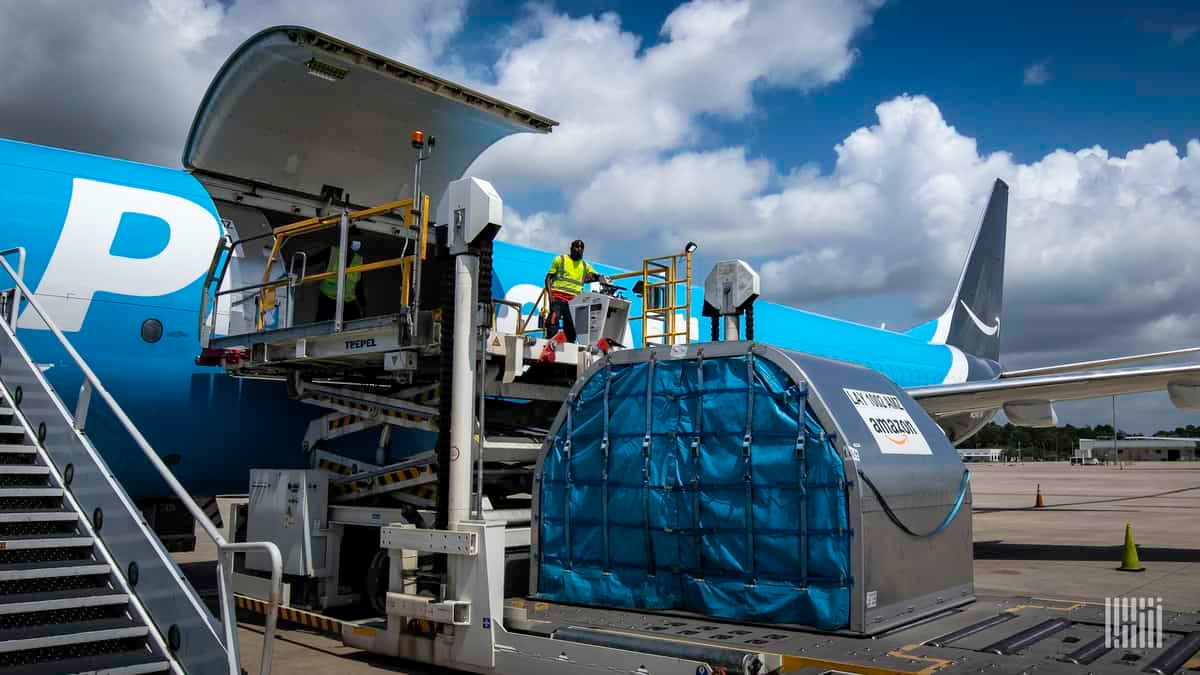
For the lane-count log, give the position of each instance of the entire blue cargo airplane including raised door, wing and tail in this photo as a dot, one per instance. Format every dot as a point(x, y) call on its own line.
point(118, 253)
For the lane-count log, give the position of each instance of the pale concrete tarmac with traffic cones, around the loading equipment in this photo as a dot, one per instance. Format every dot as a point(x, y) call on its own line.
point(1070, 549)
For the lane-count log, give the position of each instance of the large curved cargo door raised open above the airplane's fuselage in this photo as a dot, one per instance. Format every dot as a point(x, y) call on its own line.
point(304, 112)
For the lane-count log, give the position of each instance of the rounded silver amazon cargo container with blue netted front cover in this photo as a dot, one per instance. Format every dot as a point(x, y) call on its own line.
point(743, 482)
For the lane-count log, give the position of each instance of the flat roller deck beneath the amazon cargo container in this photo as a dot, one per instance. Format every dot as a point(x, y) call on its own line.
point(993, 635)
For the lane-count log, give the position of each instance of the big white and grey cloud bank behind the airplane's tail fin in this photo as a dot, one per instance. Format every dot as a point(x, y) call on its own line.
point(1101, 254)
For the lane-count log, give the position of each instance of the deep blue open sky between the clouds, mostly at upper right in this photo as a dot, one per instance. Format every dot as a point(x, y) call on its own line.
point(1120, 76)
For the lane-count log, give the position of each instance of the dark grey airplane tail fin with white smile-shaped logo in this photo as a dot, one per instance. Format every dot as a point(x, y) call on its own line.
point(971, 322)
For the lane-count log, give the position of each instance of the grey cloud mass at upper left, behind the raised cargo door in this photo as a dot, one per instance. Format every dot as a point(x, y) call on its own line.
point(125, 79)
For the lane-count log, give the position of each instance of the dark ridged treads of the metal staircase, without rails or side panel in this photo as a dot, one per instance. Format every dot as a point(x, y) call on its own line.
point(62, 608)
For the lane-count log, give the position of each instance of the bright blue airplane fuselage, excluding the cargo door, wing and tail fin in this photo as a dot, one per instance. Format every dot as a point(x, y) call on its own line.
point(118, 252)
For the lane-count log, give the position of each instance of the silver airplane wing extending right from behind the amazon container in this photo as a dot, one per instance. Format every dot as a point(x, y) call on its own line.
point(1033, 397)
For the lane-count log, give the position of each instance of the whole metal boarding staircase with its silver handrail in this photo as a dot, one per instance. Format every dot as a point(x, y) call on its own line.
point(86, 586)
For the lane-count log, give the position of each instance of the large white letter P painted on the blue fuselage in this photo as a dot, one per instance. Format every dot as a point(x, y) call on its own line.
point(82, 262)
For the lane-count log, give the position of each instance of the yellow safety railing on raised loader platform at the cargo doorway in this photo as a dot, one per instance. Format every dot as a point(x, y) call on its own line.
point(285, 232)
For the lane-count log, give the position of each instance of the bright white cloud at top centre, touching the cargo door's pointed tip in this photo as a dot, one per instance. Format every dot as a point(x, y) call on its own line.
point(617, 98)
